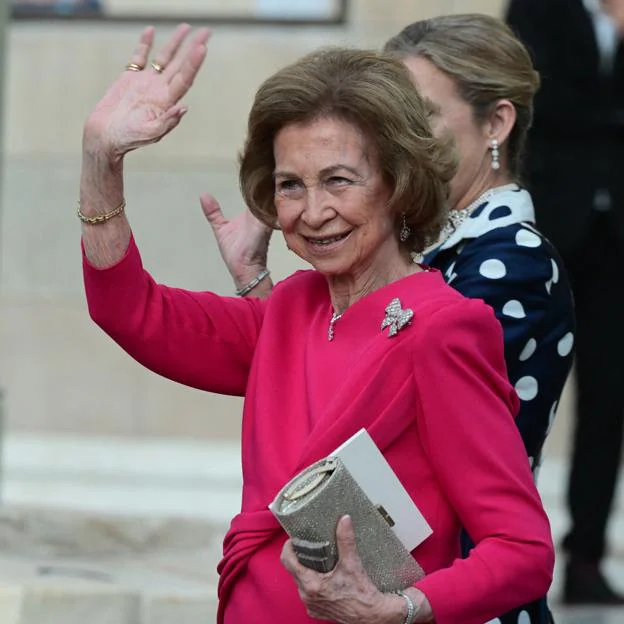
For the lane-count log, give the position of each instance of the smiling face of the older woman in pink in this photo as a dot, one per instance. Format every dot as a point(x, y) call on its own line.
point(331, 198)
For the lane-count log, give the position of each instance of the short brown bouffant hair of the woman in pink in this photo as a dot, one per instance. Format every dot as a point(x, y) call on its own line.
point(374, 92)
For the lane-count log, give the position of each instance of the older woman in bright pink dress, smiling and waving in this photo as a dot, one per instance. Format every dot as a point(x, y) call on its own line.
point(340, 156)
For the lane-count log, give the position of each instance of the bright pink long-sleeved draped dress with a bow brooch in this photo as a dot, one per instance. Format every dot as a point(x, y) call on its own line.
point(435, 398)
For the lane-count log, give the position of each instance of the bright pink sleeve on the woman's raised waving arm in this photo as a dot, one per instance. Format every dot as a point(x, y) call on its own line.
point(198, 339)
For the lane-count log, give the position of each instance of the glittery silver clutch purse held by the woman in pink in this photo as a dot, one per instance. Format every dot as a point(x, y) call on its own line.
point(309, 507)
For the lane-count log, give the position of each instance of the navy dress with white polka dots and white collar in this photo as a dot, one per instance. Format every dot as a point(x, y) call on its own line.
point(498, 256)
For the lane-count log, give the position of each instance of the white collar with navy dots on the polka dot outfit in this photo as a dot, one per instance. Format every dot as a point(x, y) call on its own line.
point(520, 206)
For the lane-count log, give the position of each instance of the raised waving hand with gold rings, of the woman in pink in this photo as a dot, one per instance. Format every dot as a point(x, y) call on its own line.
point(143, 104)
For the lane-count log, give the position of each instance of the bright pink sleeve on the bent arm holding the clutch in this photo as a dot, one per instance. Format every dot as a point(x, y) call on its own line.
point(466, 420)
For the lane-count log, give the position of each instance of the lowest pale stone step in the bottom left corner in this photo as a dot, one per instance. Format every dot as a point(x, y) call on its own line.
point(97, 592)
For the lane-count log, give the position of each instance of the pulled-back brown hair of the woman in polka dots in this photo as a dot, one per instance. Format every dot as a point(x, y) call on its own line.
point(485, 60)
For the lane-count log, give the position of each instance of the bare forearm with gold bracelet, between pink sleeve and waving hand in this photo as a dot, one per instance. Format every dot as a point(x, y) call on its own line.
point(101, 192)
